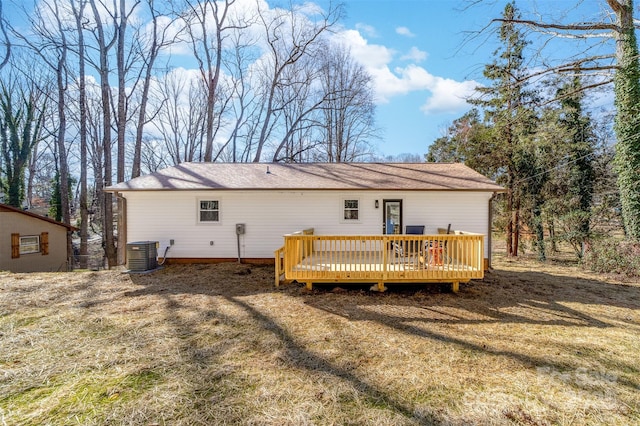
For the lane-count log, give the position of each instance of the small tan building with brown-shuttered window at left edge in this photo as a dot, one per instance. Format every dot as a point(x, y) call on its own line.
point(31, 243)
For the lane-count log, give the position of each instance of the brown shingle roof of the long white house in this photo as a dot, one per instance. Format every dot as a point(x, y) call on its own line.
point(312, 176)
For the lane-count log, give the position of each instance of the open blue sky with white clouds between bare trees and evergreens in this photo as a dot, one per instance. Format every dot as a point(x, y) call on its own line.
point(422, 68)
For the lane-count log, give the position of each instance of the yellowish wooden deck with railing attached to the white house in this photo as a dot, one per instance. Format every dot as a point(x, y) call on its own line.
point(381, 259)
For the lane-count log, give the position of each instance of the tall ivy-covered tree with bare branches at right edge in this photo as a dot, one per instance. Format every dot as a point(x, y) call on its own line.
point(626, 89)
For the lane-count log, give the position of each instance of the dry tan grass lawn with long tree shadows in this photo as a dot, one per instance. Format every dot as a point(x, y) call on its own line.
point(532, 344)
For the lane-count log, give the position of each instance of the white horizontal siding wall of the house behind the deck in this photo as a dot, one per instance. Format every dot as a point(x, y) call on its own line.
point(269, 215)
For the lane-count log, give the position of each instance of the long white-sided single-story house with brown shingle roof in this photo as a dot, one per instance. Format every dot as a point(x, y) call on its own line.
point(194, 208)
